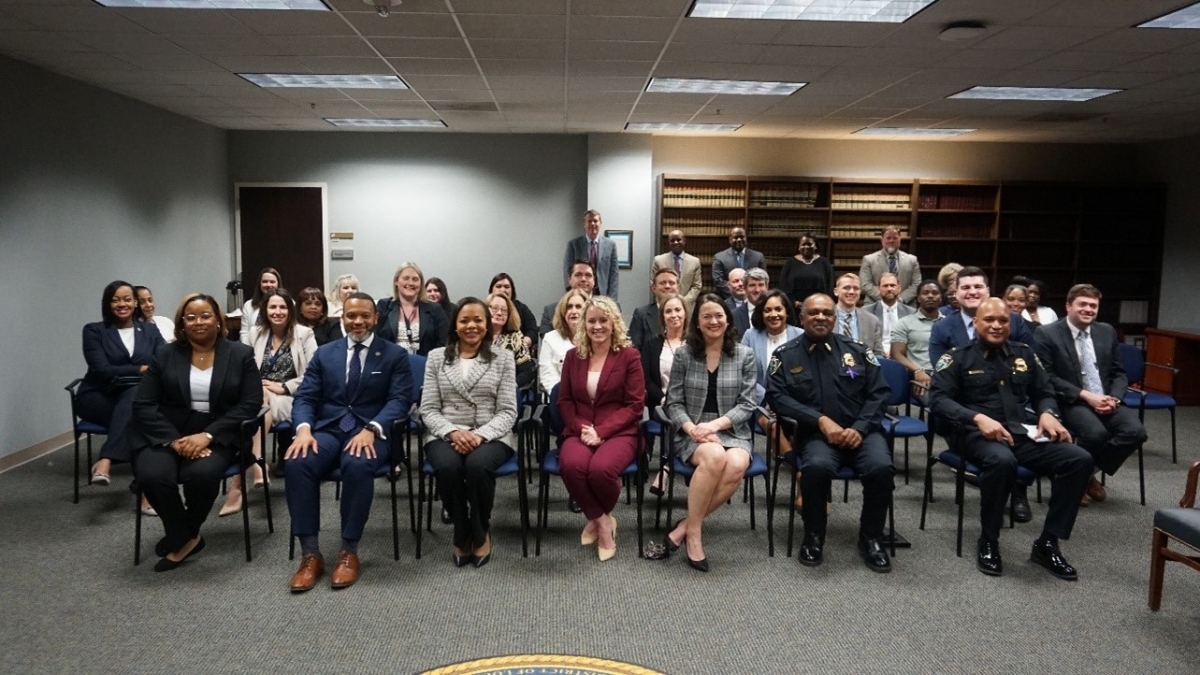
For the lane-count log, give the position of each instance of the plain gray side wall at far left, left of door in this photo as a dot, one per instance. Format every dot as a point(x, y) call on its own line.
point(93, 187)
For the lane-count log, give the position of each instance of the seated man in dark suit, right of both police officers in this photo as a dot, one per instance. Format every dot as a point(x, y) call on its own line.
point(1082, 356)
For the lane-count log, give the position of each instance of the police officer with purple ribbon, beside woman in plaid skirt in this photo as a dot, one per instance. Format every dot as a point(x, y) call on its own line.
point(836, 392)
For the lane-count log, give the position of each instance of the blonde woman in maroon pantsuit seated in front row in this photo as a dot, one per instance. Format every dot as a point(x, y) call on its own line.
point(601, 398)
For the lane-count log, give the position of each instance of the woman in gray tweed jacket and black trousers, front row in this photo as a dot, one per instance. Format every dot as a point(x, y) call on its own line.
point(469, 407)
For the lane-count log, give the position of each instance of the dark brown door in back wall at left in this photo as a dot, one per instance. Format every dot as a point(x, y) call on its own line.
point(284, 229)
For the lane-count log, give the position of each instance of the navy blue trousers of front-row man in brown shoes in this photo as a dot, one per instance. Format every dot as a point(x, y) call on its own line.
point(304, 477)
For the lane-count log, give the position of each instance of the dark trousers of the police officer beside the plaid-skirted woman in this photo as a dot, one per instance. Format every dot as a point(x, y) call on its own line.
point(820, 465)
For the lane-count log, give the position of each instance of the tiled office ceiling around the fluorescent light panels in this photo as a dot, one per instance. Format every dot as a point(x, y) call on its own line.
point(573, 67)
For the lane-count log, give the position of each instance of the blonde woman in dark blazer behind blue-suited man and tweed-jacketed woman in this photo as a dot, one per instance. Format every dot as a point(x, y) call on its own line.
point(409, 319)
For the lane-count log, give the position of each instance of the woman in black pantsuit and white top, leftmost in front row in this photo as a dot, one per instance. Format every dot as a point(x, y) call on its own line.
point(187, 422)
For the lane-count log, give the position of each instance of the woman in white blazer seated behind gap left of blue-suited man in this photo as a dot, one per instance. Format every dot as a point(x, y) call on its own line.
point(283, 351)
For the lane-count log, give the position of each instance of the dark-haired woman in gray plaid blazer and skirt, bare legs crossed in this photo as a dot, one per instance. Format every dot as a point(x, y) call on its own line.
point(711, 401)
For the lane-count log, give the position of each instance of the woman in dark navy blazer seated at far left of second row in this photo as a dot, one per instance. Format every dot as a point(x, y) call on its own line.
point(118, 351)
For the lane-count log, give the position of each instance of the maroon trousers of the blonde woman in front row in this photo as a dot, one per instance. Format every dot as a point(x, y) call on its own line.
point(593, 475)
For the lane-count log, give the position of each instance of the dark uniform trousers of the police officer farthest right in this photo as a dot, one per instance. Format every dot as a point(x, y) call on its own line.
point(1067, 465)
